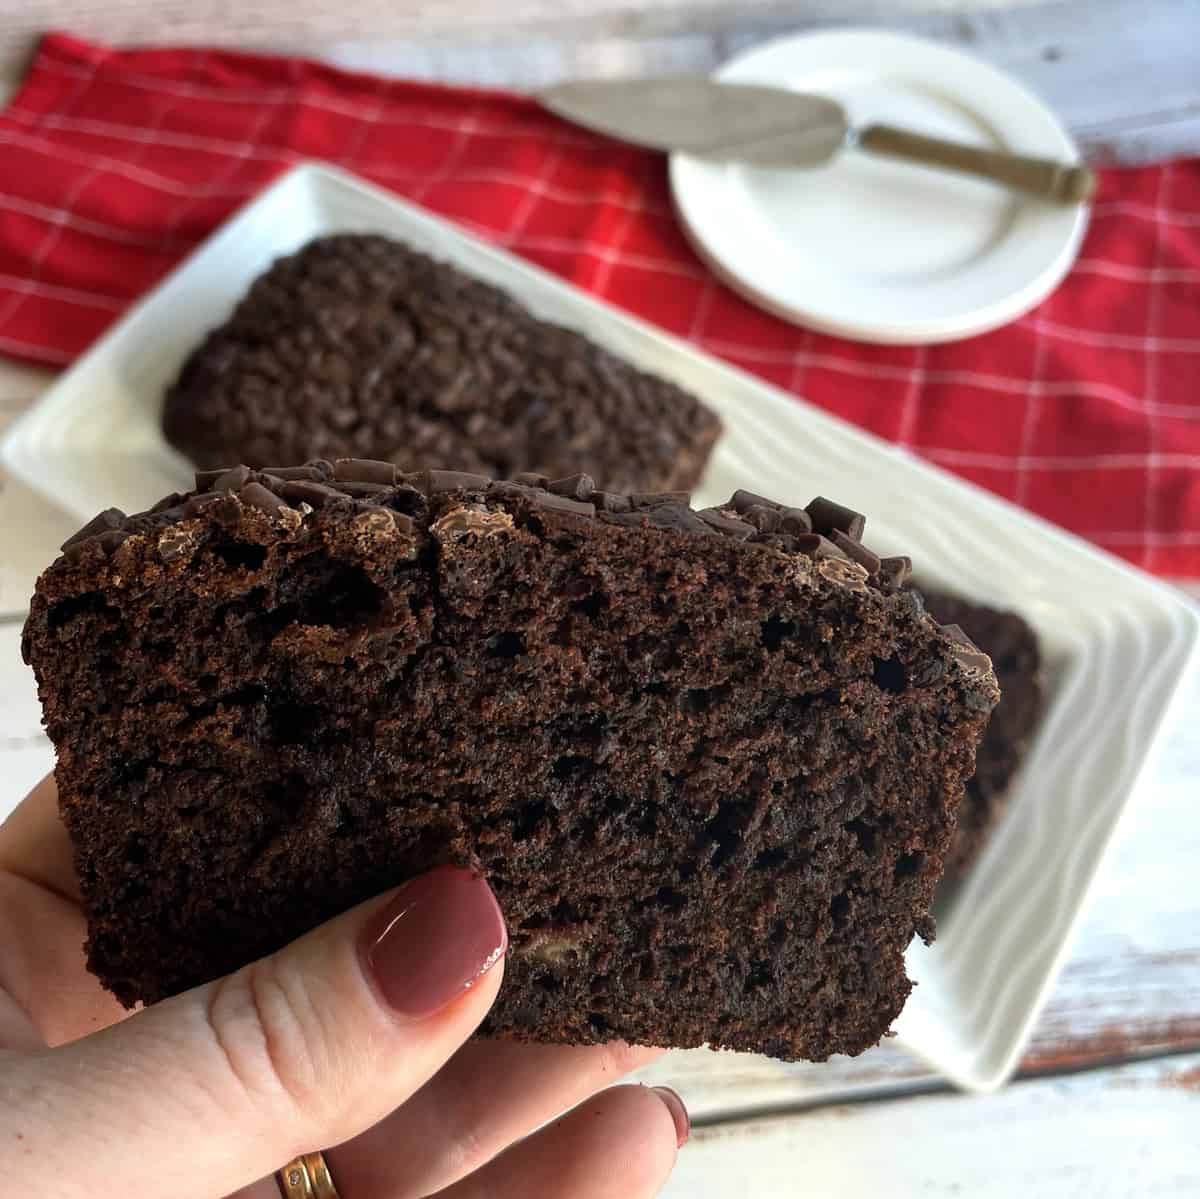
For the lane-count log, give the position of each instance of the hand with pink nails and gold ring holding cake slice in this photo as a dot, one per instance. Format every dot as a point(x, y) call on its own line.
point(355, 1038)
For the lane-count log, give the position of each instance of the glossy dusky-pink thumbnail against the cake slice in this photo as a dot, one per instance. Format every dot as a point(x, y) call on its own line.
point(436, 939)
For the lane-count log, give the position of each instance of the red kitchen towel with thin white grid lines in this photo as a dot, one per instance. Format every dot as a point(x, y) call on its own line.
point(115, 164)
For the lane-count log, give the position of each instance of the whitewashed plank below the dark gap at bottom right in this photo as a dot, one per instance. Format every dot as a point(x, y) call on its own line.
point(1115, 1134)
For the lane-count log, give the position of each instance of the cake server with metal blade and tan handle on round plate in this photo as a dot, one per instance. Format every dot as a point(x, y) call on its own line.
point(776, 128)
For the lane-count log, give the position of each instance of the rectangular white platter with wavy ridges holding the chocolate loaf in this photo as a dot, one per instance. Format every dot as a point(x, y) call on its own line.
point(1118, 644)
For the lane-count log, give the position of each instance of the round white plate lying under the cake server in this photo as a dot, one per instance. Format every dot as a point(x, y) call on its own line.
point(879, 250)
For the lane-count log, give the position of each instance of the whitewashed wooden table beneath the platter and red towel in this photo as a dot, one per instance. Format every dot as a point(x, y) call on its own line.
point(1108, 1099)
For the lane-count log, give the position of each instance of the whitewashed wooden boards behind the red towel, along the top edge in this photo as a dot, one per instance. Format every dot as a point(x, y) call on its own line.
point(1091, 59)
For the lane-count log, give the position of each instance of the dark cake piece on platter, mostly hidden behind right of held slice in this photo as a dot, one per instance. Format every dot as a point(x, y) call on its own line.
point(1013, 648)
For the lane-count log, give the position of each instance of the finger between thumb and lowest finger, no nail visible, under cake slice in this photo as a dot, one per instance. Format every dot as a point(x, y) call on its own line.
point(488, 1096)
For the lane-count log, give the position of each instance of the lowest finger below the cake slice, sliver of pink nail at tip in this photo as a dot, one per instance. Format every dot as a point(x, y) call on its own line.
point(621, 1144)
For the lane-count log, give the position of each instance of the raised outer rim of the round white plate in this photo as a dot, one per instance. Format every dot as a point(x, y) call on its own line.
point(1040, 247)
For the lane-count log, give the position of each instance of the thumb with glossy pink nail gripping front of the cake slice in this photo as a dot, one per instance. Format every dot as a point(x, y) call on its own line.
point(205, 1093)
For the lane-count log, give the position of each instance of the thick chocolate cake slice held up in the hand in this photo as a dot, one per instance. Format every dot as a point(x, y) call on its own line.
point(710, 762)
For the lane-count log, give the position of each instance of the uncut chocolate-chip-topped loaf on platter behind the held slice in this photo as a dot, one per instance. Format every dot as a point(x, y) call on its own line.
point(358, 345)
